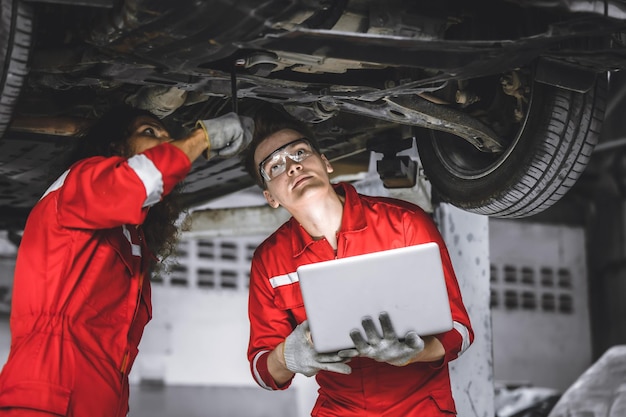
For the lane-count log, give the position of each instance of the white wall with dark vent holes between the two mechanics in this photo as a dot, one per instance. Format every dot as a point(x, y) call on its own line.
point(198, 334)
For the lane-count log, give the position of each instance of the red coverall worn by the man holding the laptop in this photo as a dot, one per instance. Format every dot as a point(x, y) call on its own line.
point(369, 224)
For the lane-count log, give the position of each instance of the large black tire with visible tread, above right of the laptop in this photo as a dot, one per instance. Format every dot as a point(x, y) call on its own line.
point(546, 155)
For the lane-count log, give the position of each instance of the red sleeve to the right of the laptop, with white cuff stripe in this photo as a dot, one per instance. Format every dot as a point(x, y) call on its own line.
point(420, 228)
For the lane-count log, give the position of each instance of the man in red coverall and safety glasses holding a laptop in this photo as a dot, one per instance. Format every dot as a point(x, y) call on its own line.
point(384, 375)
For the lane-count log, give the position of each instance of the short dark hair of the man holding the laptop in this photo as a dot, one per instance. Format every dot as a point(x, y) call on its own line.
point(267, 121)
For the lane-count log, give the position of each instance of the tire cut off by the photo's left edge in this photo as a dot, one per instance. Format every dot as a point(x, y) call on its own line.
point(15, 42)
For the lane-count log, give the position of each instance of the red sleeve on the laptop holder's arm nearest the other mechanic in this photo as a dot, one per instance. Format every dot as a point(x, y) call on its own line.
point(269, 324)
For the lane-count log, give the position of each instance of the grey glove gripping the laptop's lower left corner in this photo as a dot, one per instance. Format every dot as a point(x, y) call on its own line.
point(301, 358)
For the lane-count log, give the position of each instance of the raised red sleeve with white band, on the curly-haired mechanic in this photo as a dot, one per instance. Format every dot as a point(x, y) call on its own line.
point(100, 192)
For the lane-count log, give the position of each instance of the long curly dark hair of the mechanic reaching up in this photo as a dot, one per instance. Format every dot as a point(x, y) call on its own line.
point(108, 136)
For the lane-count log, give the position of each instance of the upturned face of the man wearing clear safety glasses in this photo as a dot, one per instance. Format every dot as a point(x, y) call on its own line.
point(301, 173)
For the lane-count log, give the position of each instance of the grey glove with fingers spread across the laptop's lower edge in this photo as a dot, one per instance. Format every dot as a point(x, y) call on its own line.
point(388, 349)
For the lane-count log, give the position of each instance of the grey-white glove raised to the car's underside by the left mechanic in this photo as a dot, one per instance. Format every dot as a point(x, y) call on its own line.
point(227, 135)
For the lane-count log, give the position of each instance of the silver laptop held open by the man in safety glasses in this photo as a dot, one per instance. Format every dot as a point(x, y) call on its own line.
point(408, 283)
